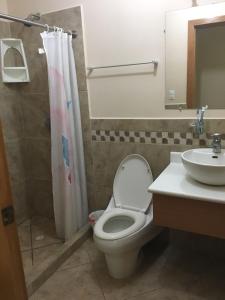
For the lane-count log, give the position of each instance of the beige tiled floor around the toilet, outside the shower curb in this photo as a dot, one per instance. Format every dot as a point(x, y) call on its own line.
point(167, 273)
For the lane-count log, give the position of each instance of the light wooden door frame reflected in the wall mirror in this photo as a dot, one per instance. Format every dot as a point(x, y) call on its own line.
point(191, 55)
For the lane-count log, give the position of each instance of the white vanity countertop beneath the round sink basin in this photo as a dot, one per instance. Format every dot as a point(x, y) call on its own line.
point(174, 181)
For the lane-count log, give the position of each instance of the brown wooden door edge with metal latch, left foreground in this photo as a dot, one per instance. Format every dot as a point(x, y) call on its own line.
point(12, 282)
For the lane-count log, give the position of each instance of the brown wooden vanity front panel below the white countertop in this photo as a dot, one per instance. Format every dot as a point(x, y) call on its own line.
point(191, 215)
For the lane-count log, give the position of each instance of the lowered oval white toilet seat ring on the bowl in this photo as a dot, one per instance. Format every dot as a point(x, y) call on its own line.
point(118, 216)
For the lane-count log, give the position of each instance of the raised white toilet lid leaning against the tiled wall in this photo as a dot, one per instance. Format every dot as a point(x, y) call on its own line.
point(131, 182)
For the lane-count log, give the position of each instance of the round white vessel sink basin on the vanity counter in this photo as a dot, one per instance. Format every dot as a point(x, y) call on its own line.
point(205, 166)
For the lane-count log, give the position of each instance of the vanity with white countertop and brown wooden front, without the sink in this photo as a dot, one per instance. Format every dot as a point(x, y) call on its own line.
point(176, 205)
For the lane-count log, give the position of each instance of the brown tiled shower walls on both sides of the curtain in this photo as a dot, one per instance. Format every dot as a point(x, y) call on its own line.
point(25, 116)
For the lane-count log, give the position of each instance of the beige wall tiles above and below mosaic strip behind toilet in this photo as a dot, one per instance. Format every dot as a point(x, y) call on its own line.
point(106, 156)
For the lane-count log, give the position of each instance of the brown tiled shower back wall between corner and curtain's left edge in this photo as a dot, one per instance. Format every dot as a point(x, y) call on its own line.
point(35, 124)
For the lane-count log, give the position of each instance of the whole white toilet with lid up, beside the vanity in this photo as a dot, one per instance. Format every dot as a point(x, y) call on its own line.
point(126, 224)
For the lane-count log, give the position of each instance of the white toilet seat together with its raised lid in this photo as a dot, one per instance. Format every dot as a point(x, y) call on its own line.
point(131, 198)
